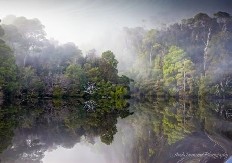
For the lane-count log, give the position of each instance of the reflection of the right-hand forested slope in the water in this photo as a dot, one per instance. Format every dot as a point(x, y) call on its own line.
point(182, 131)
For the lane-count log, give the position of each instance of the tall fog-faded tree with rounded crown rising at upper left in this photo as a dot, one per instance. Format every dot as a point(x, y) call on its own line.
point(31, 37)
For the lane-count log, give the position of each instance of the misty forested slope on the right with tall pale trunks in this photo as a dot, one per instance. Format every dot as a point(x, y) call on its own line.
point(190, 58)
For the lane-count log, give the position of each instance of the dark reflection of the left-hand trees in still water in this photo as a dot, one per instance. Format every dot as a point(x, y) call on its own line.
point(30, 129)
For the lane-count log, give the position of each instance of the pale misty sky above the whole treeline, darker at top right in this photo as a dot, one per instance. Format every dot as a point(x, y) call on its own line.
point(98, 24)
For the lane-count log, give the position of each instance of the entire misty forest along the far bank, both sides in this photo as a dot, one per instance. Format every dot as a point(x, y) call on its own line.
point(187, 59)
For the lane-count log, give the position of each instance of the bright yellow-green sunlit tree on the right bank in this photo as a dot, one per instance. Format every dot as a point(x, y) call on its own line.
point(178, 71)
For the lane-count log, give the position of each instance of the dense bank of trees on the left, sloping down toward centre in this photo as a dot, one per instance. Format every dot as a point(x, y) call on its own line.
point(33, 66)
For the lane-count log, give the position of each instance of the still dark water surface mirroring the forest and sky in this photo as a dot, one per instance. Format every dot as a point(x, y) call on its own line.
point(104, 131)
